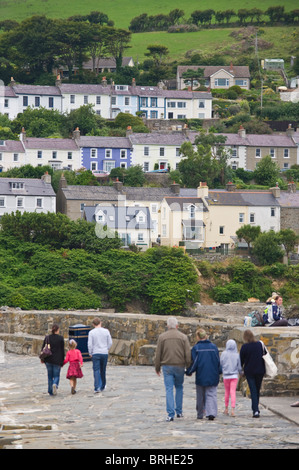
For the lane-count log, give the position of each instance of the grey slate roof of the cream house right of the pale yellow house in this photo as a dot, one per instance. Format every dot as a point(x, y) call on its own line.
point(241, 198)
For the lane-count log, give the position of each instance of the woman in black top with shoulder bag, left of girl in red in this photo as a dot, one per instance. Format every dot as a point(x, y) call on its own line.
point(54, 361)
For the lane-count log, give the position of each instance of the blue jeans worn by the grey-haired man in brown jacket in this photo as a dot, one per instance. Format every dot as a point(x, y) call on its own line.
point(174, 378)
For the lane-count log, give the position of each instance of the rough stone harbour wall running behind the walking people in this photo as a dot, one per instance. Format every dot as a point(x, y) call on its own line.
point(135, 336)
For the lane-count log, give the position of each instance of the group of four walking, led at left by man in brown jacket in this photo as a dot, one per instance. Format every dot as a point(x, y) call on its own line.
point(175, 359)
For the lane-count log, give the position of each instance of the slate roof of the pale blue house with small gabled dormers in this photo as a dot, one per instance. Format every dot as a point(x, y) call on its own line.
point(120, 217)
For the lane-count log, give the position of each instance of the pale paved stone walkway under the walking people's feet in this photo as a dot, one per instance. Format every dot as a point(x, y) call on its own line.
point(129, 414)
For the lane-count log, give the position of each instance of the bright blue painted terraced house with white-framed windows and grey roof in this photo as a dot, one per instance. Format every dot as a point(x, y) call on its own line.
point(105, 153)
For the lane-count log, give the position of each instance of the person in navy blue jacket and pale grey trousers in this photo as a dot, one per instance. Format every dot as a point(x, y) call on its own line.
point(206, 365)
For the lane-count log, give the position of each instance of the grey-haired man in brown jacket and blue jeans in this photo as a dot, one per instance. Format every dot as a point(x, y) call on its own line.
point(173, 355)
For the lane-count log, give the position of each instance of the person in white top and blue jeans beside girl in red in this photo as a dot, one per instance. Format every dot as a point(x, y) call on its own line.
point(99, 343)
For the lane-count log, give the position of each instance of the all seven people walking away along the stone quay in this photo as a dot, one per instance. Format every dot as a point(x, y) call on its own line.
point(175, 358)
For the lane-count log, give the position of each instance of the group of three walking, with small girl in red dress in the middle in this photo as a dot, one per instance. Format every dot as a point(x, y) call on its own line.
point(99, 343)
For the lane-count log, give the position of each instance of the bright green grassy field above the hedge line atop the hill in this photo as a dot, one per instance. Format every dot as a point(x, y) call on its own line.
point(122, 12)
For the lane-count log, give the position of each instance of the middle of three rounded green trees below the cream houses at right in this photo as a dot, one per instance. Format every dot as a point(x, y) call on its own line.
point(267, 248)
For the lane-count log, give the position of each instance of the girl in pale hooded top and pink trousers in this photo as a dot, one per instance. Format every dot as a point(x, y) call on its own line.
point(231, 368)
